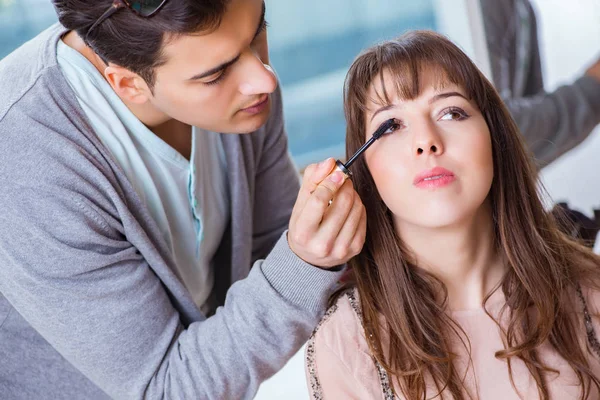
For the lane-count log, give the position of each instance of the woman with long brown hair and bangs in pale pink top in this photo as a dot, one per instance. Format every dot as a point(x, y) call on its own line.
point(465, 287)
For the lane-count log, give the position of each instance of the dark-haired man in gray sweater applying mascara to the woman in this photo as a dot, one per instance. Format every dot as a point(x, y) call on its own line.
point(125, 217)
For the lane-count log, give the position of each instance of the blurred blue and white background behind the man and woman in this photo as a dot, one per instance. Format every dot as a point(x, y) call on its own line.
point(312, 44)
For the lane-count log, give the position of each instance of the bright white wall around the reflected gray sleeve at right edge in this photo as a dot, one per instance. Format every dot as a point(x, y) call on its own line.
point(570, 41)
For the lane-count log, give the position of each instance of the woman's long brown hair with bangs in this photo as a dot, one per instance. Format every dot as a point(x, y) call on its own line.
point(544, 266)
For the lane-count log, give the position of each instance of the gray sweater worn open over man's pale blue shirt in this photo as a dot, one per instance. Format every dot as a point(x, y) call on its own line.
point(89, 303)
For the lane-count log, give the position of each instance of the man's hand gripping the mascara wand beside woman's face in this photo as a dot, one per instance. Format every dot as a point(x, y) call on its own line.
point(328, 223)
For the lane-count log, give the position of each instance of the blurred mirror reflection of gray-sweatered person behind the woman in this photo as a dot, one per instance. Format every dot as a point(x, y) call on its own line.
point(552, 123)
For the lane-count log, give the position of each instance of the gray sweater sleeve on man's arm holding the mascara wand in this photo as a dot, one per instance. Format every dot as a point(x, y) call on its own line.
point(71, 264)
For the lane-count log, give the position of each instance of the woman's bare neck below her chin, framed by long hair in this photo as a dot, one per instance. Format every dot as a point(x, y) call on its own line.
point(463, 256)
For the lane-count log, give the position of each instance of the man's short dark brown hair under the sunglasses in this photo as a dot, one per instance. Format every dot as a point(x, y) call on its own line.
point(134, 42)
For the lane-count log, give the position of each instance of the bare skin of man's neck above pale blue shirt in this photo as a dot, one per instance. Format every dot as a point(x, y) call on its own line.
point(175, 133)
